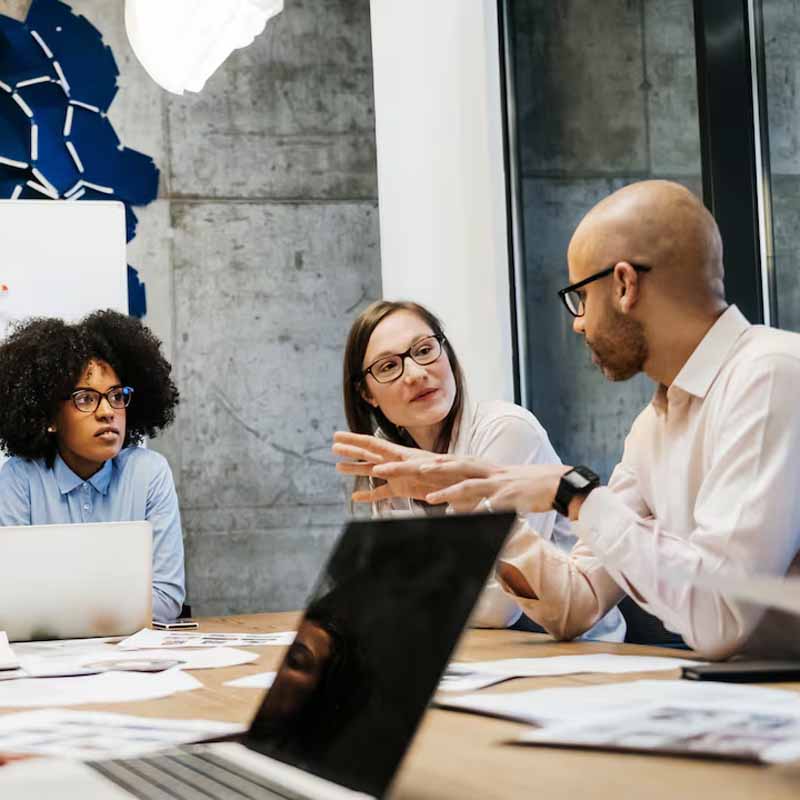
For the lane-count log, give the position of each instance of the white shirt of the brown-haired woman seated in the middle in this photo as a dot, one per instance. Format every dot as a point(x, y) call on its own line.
point(505, 434)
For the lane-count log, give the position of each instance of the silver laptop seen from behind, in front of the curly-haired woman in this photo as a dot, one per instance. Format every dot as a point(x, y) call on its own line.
point(75, 581)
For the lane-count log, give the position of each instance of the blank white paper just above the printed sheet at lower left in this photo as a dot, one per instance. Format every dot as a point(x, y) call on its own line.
point(107, 687)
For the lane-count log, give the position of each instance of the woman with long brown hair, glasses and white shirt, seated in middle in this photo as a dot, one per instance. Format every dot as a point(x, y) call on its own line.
point(404, 388)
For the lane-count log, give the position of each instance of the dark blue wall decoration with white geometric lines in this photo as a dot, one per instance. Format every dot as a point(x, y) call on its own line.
point(57, 81)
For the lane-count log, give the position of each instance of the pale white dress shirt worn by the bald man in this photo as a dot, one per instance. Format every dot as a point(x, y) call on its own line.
point(709, 481)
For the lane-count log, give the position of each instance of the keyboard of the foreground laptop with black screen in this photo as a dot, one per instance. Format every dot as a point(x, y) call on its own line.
point(185, 775)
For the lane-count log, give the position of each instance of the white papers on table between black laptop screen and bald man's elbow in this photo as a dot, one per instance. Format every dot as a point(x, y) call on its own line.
point(470, 676)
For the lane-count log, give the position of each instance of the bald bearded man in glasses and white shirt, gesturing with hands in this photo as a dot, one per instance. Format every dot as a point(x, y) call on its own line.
point(709, 480)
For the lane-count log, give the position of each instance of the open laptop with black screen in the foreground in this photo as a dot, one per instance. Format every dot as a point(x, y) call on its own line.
point(377, 634)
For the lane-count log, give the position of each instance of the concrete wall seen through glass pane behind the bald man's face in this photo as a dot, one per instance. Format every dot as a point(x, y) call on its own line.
point(606, 95)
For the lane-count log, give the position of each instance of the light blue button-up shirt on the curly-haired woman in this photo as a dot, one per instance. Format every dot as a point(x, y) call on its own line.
point(136, 485)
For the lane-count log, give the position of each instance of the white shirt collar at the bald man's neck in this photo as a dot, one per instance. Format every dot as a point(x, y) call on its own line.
point(703, 366)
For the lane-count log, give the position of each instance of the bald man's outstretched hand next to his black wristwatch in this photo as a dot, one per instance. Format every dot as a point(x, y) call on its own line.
point(521, 489)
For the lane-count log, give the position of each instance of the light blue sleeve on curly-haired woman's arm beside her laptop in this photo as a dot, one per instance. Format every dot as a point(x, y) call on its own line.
point(168, 571)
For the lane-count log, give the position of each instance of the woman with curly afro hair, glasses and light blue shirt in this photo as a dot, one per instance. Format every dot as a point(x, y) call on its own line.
point(75, 401)
